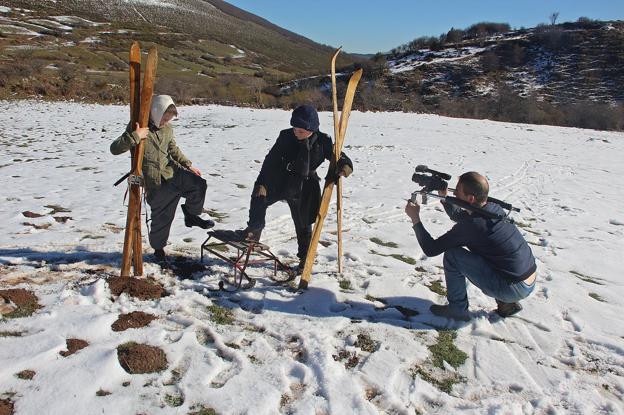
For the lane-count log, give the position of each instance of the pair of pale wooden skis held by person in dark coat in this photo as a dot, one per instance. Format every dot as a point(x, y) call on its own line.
point(340, 129)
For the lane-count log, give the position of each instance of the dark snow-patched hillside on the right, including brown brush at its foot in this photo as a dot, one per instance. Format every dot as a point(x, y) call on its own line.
point(569, 74)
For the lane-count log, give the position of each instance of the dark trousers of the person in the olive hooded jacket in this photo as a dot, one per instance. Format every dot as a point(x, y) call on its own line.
point(164, 202)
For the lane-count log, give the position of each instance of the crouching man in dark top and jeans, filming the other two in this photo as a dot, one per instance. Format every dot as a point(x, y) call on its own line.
point(498, 259)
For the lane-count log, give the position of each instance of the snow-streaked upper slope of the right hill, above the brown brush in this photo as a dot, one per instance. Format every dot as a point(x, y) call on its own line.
point(559, 64)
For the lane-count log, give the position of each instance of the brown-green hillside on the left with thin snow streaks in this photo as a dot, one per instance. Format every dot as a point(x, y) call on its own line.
point(209, 50)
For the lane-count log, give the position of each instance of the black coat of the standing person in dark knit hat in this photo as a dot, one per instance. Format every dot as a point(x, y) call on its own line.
point(284, 170)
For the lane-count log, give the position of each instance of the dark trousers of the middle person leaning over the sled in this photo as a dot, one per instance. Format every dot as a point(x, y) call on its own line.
point(257, 215)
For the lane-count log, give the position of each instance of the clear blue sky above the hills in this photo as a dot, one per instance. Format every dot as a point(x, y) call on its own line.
point(371, 26)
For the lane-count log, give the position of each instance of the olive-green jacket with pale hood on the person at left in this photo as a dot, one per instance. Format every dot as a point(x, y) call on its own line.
point(162, 157)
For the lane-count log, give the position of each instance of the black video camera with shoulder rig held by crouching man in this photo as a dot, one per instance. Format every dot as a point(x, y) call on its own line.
point(433, 180)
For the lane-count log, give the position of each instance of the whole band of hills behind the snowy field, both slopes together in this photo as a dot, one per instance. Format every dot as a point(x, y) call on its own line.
point(570, 74)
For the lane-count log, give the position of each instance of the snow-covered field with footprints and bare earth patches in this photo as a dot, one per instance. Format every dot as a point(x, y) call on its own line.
point(349, 344)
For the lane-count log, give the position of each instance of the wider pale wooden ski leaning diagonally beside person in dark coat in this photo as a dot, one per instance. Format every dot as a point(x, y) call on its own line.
point(329, 184)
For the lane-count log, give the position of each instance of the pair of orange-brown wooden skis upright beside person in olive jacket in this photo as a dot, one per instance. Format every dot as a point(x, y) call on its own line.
point(140, 107)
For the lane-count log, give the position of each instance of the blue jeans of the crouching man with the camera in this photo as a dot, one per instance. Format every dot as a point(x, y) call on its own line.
point(460, 263)
